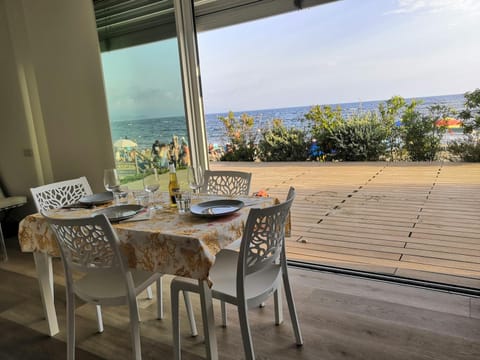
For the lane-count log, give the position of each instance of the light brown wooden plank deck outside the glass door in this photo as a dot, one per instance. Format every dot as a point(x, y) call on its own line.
point(416, 220)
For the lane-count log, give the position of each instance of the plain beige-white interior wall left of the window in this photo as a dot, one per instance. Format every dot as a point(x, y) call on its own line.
point(53, 114)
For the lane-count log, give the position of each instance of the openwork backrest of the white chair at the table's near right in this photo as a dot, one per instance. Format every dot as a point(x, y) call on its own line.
point(263, 237)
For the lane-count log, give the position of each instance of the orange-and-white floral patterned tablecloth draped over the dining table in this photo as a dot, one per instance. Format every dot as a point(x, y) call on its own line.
point(169, 243)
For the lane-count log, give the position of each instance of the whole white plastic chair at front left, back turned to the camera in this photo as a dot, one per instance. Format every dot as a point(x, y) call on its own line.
point(90, 246)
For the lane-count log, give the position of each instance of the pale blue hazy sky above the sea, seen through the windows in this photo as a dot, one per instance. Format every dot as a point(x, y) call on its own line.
point(344, 51)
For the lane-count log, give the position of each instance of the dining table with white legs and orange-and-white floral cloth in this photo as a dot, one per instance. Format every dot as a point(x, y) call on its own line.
point(159, 239)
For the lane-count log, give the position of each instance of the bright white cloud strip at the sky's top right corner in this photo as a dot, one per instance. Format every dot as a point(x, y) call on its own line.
point(436, 6)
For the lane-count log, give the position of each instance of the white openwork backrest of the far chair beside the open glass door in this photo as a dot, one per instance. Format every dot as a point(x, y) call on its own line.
point(226, 182)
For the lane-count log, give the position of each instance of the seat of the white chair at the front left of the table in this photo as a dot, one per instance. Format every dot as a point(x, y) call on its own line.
point(108, 287)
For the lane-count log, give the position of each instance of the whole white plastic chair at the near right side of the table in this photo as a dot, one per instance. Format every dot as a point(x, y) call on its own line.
point(247, 278)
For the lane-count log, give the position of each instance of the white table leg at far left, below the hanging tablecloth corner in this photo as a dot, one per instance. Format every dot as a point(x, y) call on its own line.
point(43, 265)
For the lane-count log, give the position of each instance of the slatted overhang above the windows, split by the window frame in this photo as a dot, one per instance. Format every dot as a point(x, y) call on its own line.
point(124, 23)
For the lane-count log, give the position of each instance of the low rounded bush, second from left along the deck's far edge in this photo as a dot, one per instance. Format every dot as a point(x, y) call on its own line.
point(282, 144)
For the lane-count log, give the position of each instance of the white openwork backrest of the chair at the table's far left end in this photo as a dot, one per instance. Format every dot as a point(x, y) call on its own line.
point(61, 193)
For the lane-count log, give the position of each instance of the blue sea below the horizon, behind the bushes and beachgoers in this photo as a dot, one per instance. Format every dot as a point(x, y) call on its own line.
point(145, 131)
